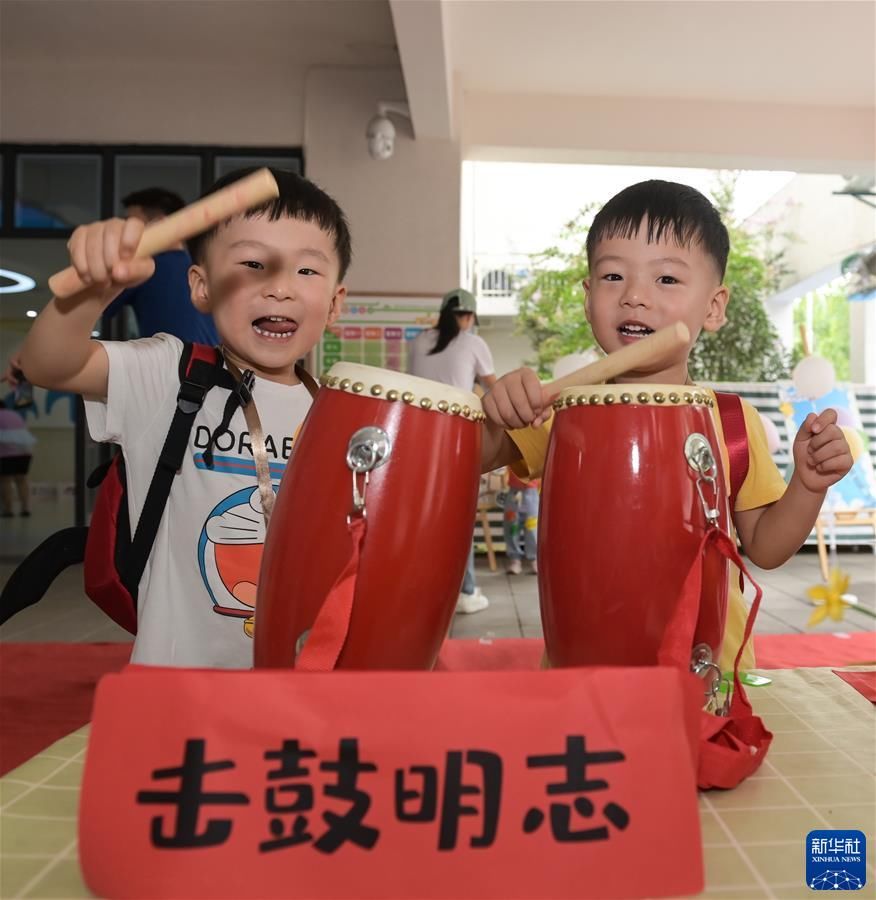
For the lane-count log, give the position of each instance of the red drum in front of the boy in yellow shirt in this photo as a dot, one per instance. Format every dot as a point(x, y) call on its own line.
point(633, 479)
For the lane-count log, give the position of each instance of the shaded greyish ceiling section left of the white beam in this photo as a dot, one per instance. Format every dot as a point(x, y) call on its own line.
point(301, 32)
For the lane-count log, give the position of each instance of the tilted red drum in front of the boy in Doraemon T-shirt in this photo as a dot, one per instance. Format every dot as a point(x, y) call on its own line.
point(419, 443)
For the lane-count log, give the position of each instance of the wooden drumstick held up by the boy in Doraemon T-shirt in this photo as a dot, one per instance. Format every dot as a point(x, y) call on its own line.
point(237, 198)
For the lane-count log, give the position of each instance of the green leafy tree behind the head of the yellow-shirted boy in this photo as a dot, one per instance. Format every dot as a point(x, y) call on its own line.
point(747, 348)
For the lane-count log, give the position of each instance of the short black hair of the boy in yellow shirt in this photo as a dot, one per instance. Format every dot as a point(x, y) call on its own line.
point(674, 211)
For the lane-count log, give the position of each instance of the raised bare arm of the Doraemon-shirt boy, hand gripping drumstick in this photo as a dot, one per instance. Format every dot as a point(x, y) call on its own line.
point(58, 352)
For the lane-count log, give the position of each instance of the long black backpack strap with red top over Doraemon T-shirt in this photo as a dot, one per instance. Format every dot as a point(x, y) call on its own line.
point(200, 368)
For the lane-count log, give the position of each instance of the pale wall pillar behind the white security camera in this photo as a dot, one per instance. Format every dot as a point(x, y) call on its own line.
point(404, 212)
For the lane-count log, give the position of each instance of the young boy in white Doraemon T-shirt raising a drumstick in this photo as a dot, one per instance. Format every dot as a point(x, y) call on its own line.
point(273, 281)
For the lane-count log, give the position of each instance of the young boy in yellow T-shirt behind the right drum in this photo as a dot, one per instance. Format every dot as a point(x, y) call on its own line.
point(657, 253)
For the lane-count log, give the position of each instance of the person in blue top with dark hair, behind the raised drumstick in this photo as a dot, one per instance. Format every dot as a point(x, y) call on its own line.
point(162, 305)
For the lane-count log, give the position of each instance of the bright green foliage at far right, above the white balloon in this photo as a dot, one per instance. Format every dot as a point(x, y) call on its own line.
point(825, 314)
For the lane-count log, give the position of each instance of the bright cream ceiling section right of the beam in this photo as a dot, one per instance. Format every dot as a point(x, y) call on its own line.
point(772, 51)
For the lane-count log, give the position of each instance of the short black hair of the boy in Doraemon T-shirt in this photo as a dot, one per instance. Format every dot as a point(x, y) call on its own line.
point(298, 199)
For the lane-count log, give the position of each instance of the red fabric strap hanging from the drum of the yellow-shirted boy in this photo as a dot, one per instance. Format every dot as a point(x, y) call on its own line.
point(732, 747)
